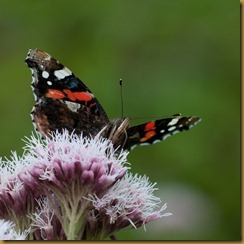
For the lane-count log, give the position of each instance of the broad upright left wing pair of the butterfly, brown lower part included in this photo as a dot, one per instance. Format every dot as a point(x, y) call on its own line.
point(62, 99)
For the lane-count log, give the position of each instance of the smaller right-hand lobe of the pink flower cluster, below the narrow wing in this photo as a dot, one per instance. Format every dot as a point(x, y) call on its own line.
point(129, 202)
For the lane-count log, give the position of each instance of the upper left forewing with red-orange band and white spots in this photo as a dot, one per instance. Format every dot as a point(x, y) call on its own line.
point(53, 80)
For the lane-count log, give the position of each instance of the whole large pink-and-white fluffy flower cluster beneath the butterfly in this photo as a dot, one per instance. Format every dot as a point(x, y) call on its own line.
point(74, 187)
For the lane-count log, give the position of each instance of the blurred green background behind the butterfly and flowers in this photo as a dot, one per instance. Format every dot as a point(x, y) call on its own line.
point(174, 56)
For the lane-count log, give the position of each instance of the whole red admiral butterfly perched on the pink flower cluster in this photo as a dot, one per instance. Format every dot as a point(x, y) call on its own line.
point(63, 101)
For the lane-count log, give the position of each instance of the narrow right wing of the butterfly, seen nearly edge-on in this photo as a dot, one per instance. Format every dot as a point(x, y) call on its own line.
point(158, 130)
